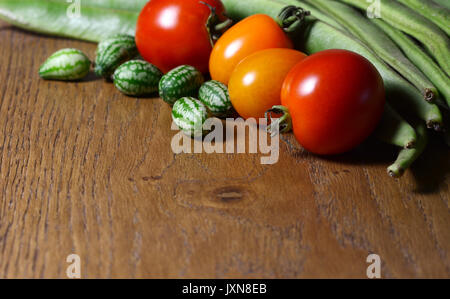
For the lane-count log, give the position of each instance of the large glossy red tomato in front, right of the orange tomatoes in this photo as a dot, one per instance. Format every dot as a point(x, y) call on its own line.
point(336, 99)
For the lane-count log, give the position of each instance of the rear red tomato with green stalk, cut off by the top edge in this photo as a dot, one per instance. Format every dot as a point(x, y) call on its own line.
point(170, 33)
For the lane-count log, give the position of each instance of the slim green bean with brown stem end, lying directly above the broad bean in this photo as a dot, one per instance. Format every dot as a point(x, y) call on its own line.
point(379, 42)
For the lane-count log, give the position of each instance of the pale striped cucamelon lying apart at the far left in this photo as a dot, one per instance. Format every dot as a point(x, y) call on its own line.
point(65, 65)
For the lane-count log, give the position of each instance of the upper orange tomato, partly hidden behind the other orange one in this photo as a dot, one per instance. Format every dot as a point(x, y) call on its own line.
point(253, 34)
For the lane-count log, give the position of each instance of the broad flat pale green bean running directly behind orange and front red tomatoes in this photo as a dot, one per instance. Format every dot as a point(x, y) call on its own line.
point(316, 36)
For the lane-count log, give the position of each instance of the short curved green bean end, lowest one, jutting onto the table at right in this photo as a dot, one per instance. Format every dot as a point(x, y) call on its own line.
point(407, 156)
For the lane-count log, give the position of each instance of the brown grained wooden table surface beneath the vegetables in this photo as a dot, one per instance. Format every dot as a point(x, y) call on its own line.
point(85, 170)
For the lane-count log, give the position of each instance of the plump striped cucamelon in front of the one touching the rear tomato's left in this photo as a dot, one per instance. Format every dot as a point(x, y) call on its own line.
point(137, 78)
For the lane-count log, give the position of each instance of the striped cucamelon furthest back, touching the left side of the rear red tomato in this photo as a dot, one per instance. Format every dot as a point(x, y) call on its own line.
point(112, 52)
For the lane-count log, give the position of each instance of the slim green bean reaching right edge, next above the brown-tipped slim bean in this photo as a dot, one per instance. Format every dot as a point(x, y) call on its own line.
point(418, 56)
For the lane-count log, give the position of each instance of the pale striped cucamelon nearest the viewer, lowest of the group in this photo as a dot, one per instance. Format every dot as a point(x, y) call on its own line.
point(189, 114)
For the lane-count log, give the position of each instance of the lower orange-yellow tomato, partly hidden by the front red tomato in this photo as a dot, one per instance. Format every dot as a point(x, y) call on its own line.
point(255, 84)
